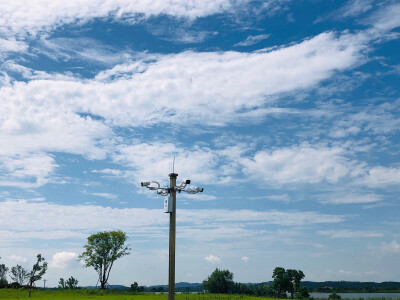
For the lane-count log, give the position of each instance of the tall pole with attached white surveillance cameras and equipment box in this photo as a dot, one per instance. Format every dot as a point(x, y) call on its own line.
point(170, 207)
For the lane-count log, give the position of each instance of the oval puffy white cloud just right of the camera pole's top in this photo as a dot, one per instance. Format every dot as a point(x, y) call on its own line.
point(299, 164)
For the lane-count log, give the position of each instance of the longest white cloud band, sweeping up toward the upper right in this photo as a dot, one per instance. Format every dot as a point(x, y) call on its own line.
point(238, 82)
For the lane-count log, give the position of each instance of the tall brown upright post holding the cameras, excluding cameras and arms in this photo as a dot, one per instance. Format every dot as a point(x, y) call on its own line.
point(172, 234)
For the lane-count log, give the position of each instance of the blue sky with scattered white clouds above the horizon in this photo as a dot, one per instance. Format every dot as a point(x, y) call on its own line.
point(286, 113)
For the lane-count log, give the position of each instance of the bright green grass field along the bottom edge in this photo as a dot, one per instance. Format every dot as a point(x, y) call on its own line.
point(8, 294)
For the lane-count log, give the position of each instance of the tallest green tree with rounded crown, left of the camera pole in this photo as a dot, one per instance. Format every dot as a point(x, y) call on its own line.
point(102, 250)
